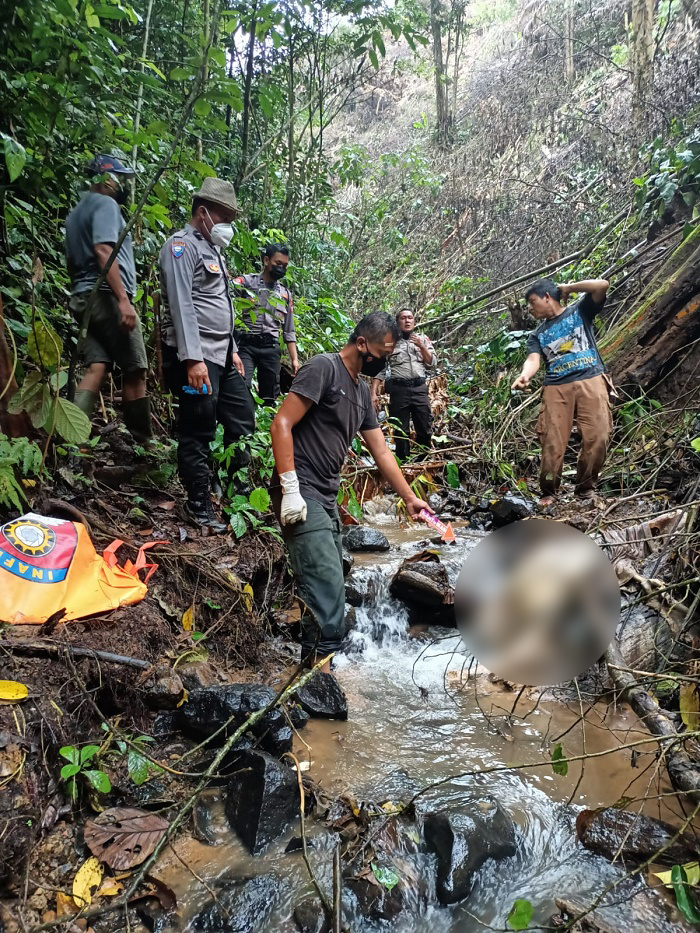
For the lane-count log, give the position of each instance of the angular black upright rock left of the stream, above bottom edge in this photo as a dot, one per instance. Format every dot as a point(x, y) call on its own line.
point(261, 800)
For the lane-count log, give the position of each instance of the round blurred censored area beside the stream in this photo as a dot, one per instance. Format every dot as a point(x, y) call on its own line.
point(537, 602)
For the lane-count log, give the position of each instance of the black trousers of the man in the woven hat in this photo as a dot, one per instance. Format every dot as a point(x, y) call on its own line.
point(230, 404)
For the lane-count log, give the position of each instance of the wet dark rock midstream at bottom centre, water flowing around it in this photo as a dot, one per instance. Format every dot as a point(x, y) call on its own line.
point(463, 841)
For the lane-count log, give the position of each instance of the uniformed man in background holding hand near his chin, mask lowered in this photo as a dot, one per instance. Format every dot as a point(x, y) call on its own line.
point(408, 387)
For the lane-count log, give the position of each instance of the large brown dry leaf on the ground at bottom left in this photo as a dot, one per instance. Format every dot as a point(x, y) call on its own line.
point(123, 836)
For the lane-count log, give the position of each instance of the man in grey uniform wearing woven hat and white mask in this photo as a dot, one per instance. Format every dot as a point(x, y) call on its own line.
point(201, 364)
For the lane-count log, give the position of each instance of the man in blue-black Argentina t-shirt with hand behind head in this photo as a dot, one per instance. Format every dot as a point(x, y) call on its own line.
point(575, 387)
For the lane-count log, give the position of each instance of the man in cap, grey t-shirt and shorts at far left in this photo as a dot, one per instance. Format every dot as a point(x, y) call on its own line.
point(114, 331)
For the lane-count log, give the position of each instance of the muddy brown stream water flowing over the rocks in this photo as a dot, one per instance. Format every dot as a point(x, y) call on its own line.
point(414, 722)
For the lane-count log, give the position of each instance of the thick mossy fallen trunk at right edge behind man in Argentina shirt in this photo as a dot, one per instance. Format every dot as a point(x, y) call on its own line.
point(645, 346)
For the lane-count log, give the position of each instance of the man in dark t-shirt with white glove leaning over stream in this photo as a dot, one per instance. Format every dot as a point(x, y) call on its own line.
point(327, 405)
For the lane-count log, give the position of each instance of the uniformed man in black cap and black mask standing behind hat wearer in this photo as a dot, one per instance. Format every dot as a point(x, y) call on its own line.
point(265, 307)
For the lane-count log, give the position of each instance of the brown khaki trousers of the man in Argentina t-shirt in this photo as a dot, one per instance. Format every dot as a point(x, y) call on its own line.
point(588, 403)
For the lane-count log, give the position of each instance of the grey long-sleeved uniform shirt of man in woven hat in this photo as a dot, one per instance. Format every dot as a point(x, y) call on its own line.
point(198, 313)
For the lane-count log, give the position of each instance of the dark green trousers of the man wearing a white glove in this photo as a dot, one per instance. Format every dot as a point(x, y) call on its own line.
point(316, 555)
